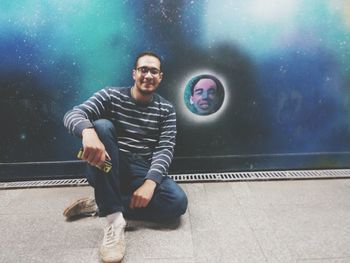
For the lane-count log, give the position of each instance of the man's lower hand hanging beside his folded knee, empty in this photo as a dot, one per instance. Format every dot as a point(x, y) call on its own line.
point(143, 195)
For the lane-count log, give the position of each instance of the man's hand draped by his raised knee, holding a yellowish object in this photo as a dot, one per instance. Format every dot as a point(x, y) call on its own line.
point(94, 150)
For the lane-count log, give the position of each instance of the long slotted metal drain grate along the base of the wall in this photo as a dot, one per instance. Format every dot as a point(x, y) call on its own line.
point(203, 177)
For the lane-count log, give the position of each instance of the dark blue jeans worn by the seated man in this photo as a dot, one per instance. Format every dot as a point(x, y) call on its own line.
point(113, 190)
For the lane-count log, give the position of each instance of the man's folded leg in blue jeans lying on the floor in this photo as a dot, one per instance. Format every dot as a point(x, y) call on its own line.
point(168, 202)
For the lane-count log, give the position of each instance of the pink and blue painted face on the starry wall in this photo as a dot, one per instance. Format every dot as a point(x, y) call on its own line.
point(204, 96)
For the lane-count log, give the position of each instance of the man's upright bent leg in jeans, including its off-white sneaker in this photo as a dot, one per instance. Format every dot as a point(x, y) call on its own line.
point(108, 195)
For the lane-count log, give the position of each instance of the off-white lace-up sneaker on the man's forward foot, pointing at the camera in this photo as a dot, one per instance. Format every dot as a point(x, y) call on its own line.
point(113, 245)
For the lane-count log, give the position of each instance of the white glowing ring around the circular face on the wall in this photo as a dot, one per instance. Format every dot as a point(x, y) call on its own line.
point(190, 116)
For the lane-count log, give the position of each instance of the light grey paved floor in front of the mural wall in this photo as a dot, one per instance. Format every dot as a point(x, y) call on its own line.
point(276, 221)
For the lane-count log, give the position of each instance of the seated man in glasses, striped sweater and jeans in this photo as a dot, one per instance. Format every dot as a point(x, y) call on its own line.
point(134, 128)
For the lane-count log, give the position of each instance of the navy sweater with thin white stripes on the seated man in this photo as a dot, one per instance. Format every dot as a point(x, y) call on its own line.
point(146, 130)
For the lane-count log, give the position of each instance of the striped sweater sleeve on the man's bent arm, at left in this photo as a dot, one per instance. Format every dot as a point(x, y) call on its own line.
point(82, 116)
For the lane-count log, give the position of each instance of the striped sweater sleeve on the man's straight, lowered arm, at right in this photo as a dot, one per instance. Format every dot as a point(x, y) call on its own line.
point(163, 151)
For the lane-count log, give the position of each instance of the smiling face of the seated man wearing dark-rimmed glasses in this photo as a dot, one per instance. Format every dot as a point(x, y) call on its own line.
point(147, 74)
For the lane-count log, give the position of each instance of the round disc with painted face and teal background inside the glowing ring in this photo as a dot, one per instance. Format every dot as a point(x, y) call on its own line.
point(206, 95)
